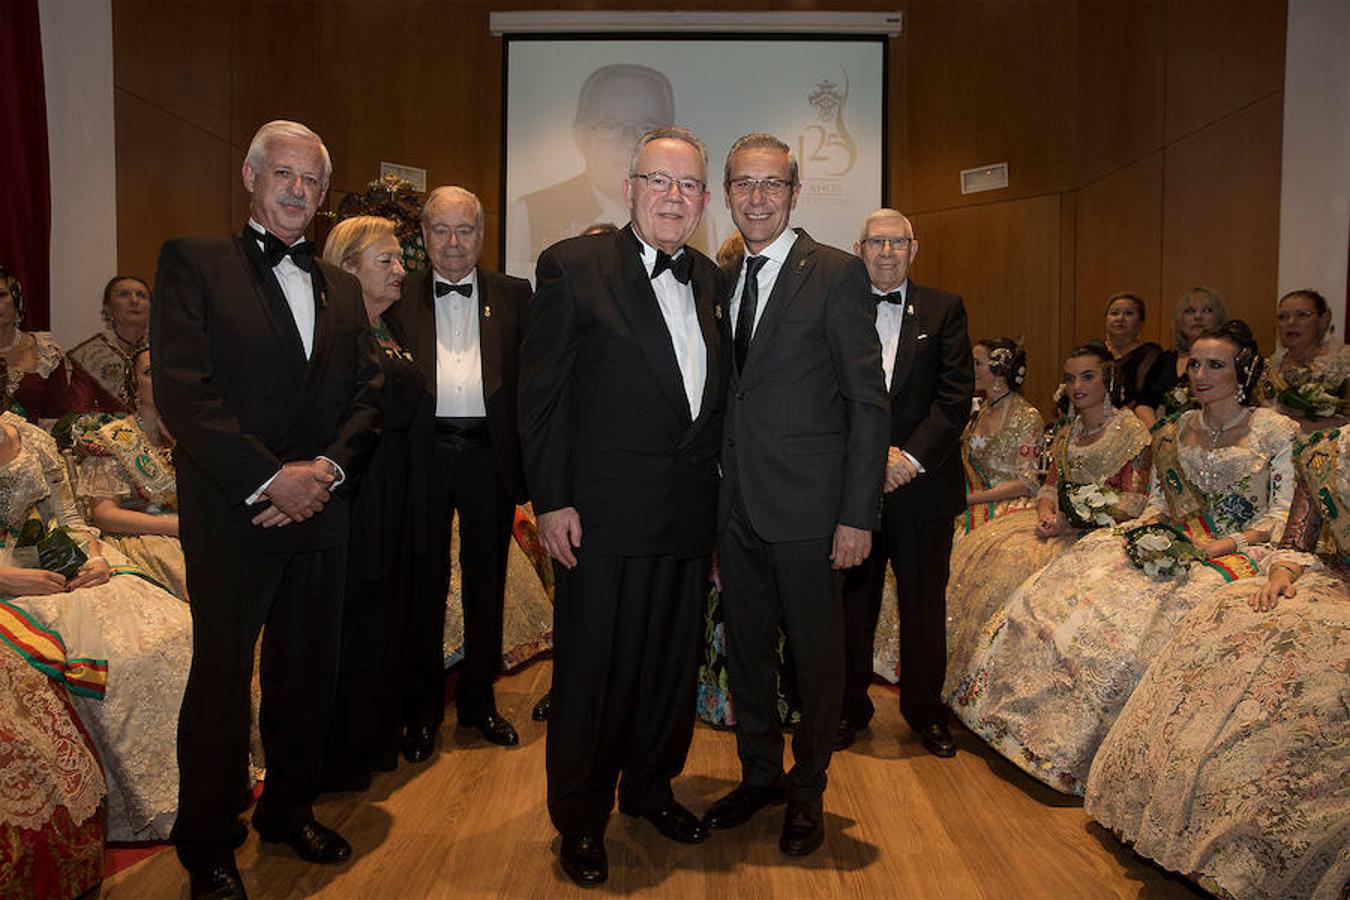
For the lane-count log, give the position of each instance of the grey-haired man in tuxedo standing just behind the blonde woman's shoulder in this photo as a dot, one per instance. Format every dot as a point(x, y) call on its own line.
point(464, 325)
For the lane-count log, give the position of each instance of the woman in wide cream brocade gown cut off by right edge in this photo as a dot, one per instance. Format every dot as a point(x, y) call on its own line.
point(1229, 762)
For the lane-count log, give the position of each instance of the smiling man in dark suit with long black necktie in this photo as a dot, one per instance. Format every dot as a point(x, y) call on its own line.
point(803, 466)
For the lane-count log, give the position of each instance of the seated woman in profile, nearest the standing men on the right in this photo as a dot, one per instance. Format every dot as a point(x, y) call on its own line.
point(1001, 447)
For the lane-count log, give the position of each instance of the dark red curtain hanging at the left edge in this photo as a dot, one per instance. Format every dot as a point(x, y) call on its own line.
point(25, 181)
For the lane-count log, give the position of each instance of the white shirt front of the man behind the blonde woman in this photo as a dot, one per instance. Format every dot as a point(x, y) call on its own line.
point(460, 353)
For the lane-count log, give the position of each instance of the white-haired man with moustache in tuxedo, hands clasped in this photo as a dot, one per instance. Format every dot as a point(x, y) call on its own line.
point(265, 374)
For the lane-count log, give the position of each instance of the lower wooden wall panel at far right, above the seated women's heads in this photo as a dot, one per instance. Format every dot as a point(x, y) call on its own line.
point(1222, 214)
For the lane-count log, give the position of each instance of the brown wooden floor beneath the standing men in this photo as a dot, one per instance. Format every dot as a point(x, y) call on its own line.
point(900, 824)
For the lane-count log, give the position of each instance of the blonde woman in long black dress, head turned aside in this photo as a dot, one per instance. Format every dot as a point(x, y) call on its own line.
point(365, 732)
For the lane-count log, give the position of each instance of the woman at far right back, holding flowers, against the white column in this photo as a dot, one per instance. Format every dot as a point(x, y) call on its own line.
point(1309, 376)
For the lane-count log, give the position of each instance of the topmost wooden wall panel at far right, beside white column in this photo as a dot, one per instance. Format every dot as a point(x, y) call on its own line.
point(1222, 56)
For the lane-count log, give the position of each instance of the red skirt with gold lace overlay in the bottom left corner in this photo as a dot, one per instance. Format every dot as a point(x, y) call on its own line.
point(52, 789)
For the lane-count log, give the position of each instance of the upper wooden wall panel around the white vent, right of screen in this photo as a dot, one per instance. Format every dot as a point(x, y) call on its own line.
point(990, 82)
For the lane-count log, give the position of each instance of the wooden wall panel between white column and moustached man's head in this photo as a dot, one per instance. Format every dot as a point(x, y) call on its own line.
point(157, 198)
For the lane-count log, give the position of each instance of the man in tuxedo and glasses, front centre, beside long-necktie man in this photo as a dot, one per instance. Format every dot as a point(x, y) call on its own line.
point(623, 388)
